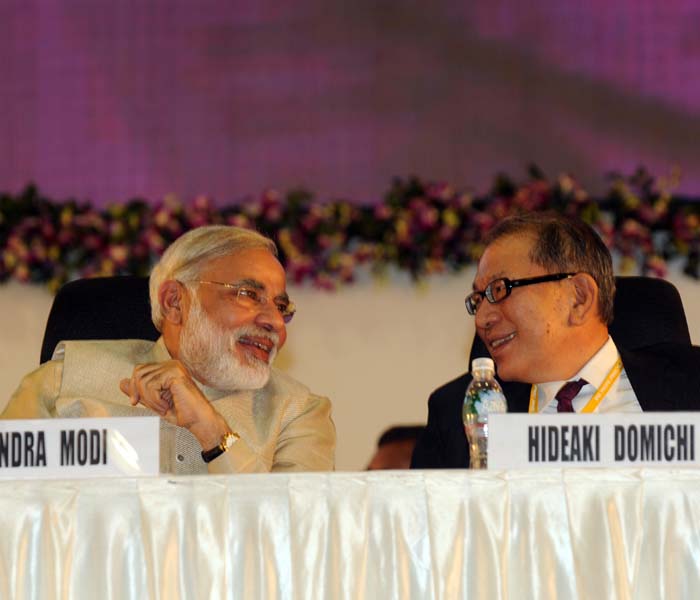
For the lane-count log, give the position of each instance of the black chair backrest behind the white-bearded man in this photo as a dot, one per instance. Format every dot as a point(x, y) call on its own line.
point(103, 308)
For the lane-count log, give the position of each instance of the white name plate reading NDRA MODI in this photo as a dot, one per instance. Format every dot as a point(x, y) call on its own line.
point(79, 448)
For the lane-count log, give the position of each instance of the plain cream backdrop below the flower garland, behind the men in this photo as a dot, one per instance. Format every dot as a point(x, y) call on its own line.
point(376, 348)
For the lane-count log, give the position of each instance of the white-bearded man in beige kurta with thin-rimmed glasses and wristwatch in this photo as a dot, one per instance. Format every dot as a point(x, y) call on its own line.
point(223, 408)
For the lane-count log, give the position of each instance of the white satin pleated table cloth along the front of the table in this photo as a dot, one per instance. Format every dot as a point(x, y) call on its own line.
point(535, 534)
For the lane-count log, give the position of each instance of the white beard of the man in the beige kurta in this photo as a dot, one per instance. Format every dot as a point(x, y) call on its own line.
point(210, 353)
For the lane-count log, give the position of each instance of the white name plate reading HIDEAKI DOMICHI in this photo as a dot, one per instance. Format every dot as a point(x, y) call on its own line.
point(519, 441)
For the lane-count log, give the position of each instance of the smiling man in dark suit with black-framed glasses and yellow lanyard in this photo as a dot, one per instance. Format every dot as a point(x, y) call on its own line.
point(542, 301)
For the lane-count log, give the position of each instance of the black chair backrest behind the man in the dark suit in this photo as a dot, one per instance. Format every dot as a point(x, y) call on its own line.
point(646, 311)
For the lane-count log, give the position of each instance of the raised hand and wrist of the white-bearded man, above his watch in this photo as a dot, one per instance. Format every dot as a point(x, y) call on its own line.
point(168, 389)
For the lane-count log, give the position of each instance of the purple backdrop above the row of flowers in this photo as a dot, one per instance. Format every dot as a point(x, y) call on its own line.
point(107, 100)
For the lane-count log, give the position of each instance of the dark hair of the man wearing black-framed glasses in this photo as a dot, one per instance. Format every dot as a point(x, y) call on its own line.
point(564, 244)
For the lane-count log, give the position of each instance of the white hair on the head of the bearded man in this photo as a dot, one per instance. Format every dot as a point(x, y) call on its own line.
point(186, 256)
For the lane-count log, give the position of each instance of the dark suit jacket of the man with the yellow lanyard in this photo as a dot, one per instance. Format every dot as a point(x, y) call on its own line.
point(665, 377)
